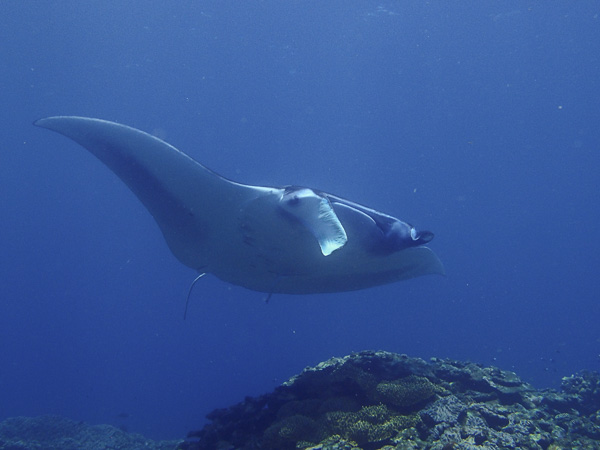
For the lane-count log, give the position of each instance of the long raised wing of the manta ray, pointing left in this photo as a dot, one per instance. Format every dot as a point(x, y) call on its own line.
point(191, 204)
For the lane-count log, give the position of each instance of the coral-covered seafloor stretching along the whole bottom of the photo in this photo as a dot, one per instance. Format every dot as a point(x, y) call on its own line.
point(369, 400)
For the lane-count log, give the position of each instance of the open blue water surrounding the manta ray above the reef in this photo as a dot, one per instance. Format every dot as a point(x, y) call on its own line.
point(476, 120)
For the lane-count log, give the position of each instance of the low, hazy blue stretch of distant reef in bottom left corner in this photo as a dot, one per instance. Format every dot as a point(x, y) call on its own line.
point(54, 432)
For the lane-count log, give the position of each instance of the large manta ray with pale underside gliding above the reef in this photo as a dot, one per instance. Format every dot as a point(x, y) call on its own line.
point(277, 240)
